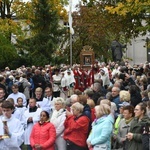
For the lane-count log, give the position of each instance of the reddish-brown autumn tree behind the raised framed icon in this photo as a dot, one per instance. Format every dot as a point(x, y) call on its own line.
point(95, 27)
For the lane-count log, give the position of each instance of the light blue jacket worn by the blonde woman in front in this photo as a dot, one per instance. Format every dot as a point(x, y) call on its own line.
point(101, 131)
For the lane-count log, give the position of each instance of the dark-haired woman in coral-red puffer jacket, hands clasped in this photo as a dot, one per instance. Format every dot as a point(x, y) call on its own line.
point(43, 134)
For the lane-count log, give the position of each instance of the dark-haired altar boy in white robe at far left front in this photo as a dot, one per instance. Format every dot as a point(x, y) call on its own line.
point(10, 126)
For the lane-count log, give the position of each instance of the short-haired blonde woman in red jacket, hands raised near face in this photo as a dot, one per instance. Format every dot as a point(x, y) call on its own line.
point(76, 128)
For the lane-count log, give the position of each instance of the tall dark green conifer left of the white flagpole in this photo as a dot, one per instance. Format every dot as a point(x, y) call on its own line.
point(46, 35)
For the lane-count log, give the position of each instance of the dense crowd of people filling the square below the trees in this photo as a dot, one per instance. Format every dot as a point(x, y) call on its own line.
point(102, 107)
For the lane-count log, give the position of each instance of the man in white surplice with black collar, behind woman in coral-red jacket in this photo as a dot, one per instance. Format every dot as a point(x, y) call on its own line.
point(32, 116)
